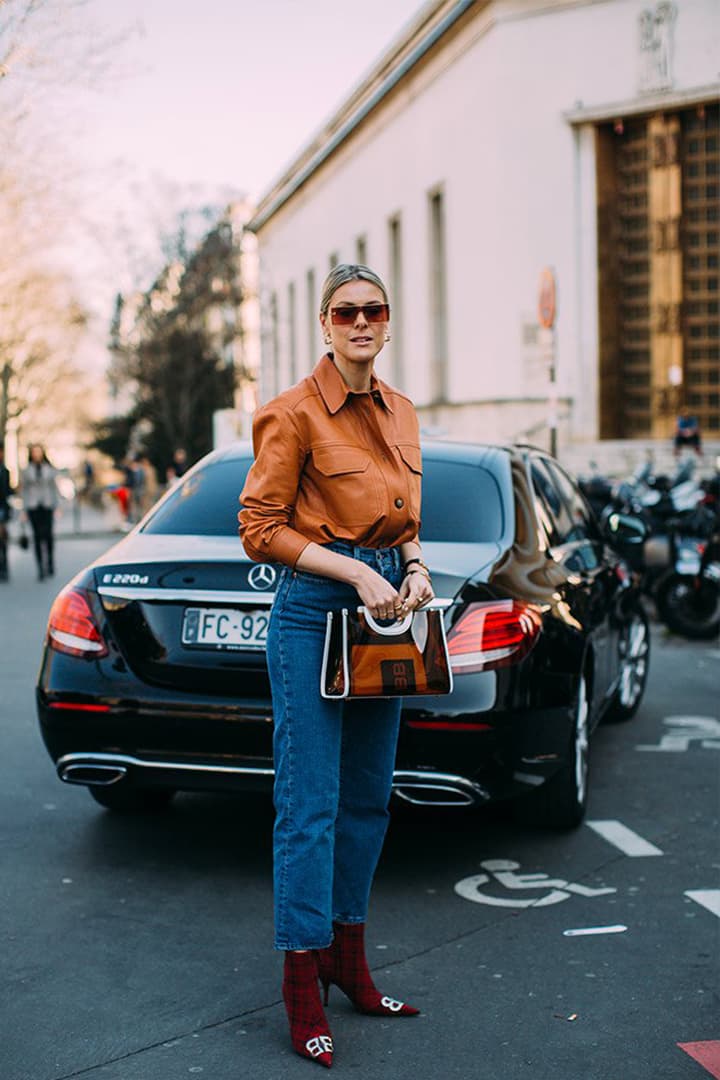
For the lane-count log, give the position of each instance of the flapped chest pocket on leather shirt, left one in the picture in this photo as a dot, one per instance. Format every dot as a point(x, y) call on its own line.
point(347, 484)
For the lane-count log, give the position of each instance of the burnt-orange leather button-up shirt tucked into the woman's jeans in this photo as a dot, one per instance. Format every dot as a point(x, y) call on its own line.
point(332, 464)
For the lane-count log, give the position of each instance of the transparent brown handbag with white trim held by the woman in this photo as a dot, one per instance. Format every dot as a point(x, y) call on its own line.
point(368, 659)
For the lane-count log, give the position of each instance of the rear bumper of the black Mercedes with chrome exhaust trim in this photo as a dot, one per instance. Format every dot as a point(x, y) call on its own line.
point(458, 758)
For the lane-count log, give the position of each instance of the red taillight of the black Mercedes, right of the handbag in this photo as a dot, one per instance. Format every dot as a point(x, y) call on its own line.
point(493, 634)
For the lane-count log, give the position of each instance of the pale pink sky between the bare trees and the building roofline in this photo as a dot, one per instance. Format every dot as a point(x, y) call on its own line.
point(227, 91)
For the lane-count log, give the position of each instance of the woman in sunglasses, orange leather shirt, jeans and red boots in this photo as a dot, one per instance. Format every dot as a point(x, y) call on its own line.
point(335, 496)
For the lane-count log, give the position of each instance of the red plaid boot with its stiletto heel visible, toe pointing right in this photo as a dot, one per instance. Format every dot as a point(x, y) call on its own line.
point(345, 965)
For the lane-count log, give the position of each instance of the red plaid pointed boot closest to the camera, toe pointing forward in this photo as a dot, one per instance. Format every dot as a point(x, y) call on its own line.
point(309, 1029)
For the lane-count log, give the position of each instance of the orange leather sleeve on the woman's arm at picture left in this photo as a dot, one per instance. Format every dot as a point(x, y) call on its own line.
point(270, 492)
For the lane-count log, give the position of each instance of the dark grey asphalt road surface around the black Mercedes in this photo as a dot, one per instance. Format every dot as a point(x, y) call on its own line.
point(140, 949)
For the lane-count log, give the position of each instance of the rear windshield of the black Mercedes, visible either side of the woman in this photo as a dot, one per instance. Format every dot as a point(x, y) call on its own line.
point(460, 502)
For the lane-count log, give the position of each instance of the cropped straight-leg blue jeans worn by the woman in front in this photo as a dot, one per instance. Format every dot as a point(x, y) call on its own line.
point(334, 764)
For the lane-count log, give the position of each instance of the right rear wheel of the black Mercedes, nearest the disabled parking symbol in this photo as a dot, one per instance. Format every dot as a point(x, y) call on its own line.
point(563, 800)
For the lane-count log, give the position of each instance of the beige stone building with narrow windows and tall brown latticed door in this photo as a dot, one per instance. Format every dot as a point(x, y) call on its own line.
point(495, 140)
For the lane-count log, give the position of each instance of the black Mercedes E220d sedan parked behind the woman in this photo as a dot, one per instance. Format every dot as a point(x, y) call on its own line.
point(154, 674)
